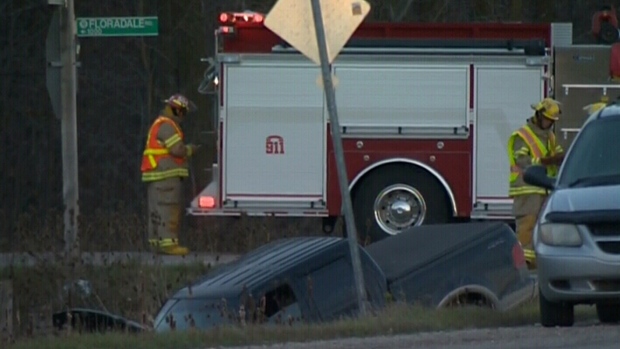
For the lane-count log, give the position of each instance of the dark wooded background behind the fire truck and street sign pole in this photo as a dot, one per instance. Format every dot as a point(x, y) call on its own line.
point(121, 84)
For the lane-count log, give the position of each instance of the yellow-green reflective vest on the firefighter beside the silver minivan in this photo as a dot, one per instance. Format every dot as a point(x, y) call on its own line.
point(537, 150)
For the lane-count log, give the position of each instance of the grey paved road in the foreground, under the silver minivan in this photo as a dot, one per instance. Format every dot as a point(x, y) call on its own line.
point(581, 336)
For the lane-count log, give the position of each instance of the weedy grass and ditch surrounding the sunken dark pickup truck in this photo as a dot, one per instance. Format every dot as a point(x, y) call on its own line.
point(136, 291)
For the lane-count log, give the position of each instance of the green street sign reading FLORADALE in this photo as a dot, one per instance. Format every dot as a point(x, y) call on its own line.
point(117, 26)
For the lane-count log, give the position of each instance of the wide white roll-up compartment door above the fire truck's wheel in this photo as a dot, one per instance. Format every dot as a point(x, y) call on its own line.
point(405, 97)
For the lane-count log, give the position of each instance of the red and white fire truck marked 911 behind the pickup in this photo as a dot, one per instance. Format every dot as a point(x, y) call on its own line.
point(425, 109)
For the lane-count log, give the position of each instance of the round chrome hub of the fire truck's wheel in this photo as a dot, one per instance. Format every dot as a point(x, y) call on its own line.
point(399, 207)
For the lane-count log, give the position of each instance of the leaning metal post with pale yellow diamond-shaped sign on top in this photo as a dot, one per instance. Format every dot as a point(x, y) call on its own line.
point(302, 24)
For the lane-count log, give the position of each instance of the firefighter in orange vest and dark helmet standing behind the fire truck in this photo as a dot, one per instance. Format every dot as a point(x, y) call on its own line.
point(164, 166)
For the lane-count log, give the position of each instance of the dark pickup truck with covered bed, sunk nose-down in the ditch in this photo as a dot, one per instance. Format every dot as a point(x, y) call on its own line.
point(310, 279)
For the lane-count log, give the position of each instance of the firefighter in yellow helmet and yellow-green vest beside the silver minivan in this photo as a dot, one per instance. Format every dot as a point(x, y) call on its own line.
point(532, 144)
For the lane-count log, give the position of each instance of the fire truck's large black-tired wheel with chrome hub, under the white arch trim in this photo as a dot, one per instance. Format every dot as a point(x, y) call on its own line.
point(395, 197)
